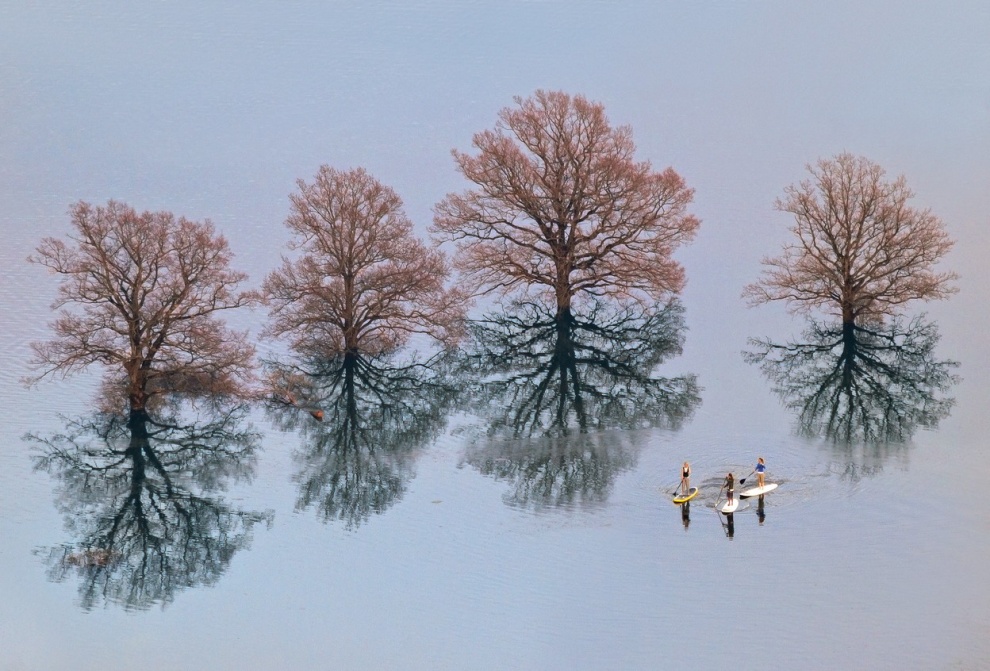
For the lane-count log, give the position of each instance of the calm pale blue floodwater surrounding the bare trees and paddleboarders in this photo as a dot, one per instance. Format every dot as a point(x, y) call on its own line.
point(443, 539)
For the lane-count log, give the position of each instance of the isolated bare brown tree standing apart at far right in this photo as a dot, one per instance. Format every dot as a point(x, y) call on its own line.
point(861, 251)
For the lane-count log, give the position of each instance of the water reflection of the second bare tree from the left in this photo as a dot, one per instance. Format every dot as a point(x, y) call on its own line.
point(373, 415)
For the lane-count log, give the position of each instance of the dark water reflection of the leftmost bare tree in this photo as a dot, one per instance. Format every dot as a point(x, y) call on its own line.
point(139, 499)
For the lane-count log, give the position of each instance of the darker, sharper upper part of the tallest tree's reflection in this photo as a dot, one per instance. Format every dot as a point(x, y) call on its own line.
point(535, 374)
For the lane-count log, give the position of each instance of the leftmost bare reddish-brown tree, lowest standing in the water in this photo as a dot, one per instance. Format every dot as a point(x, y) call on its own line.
point(146, 288)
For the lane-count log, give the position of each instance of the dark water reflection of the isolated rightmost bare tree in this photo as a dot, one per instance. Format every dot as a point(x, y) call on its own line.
point(856, 384)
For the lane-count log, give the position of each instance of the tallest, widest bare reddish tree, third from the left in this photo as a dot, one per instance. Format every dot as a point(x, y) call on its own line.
point(561, 205)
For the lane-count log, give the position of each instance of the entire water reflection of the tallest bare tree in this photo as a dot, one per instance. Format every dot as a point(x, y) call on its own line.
point(548, 389)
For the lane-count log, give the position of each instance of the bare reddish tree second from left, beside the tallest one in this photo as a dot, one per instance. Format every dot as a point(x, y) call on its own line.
point(363, 283)
